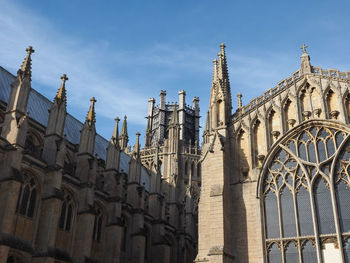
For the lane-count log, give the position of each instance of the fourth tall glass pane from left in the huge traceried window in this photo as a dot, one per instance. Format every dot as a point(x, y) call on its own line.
point(324, 208)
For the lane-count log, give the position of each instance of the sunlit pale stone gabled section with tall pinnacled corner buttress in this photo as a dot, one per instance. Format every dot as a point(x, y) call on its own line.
point(275, 173)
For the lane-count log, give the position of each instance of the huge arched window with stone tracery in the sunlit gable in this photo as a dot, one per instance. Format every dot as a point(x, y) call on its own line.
point(305, 195)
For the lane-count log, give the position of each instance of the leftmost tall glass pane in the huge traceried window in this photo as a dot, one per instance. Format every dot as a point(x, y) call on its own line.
point(271, 216)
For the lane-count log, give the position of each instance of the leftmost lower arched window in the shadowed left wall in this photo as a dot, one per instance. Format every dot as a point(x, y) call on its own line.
point(27, 197)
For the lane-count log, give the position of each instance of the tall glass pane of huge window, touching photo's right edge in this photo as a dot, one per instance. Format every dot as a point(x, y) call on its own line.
point(343, 201)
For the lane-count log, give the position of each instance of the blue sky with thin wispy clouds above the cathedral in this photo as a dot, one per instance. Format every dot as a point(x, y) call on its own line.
point(123, 52)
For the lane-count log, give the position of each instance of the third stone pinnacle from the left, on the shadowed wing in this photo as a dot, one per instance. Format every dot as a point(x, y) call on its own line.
point(88, 133)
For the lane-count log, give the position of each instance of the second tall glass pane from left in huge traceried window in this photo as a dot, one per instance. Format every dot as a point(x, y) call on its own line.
point(288, 216)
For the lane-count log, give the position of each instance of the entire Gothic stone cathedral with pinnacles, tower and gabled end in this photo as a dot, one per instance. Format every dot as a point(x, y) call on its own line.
point(268, 182)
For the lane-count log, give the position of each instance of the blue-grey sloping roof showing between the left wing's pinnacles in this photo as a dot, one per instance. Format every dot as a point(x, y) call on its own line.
point(38, 107)
